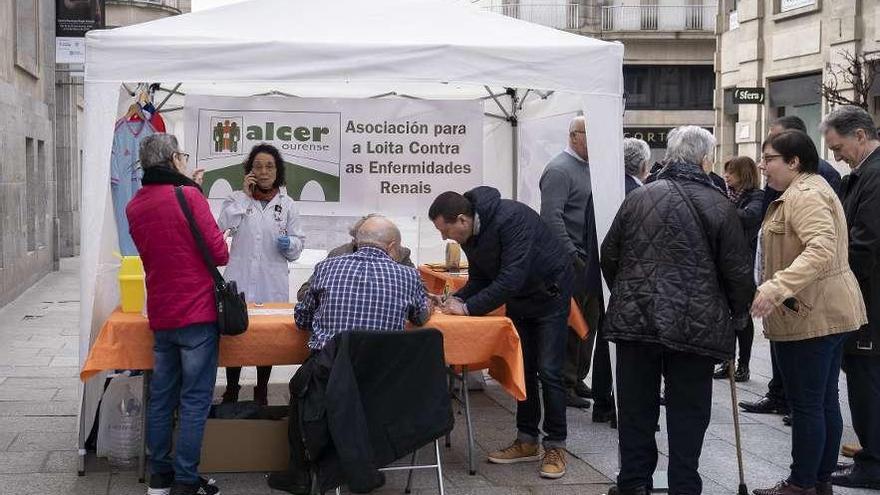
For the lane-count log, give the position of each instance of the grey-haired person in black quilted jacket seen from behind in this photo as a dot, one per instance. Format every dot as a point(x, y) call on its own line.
point(675, 260)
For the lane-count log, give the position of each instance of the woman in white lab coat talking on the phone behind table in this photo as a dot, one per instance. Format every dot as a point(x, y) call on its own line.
point(266, 234)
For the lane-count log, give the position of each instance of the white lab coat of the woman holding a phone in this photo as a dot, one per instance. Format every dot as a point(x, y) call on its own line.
point(255, 263)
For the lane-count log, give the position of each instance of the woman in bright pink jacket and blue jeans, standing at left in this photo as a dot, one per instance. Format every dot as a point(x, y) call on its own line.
point(182, 314)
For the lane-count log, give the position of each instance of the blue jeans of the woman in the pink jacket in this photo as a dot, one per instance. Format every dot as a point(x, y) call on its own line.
point(184, 373)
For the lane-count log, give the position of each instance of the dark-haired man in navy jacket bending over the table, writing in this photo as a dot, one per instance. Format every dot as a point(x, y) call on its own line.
point(515, 259)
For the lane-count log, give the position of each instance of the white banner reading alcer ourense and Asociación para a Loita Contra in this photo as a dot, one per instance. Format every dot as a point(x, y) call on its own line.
point(342, 156)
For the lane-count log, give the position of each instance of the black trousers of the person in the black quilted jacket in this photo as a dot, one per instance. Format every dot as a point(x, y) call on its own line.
point(688, 410)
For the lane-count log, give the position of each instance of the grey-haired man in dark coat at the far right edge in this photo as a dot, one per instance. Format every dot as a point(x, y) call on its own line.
point(851, 135)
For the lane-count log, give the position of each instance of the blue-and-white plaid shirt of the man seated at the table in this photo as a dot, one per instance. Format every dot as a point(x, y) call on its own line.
point(365, 290)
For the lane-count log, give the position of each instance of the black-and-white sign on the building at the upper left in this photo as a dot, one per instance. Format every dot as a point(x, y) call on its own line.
point(73, 19)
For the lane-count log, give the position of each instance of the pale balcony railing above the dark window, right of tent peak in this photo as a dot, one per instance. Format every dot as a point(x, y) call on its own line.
point(666, 18)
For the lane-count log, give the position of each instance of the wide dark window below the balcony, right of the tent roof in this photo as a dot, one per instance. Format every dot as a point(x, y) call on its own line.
point(669, 87)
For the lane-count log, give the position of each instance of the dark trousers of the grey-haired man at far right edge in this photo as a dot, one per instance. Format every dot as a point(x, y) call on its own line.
point(863, 385)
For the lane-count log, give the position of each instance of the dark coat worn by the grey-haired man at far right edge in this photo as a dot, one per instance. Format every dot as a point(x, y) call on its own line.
point(860, 195)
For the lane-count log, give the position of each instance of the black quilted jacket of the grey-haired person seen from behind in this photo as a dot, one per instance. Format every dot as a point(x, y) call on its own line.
point(671, 283)
